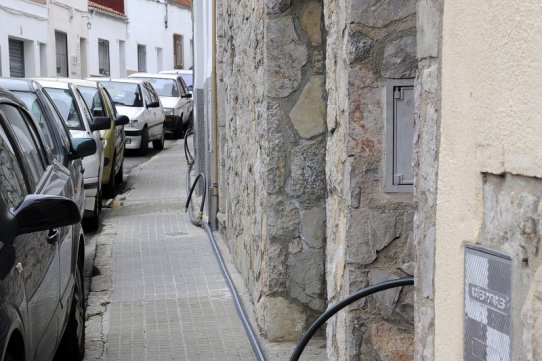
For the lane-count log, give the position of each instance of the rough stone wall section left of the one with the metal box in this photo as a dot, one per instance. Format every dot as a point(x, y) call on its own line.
point(272, 111)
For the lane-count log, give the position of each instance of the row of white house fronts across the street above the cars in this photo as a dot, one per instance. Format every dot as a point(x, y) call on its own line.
point(81, 38)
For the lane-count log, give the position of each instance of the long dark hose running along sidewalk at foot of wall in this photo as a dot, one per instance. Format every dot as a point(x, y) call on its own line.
point(200, 222)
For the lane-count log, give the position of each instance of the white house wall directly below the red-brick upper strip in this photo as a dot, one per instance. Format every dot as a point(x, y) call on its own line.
point(114, 30)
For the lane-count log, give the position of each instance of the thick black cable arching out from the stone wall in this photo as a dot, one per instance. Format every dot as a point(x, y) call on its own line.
point(407, 281)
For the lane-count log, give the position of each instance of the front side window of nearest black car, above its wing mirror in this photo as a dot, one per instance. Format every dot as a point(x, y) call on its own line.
point(12, 185)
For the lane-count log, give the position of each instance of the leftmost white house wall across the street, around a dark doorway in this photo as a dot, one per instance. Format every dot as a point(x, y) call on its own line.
point(27, 21)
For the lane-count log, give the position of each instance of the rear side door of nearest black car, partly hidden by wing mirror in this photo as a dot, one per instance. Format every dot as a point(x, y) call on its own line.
point(37, 254)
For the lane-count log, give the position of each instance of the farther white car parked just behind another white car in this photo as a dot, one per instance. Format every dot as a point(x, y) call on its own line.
point(175, 98)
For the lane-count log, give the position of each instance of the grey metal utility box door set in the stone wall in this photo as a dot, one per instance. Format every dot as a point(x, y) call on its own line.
point(400, 135)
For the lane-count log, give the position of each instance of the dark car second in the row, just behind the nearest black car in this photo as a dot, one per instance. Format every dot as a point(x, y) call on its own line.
point(56, 135)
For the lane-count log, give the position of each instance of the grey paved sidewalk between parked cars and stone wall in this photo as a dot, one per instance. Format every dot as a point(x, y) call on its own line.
point(156, 291)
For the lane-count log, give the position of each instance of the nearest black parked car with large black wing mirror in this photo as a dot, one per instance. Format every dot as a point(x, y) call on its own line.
point(42, 310)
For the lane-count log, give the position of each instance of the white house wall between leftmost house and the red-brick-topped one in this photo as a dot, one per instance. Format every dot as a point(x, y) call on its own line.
point(70, 17)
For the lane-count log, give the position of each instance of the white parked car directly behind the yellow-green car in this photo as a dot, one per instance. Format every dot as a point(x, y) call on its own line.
point(138, 100)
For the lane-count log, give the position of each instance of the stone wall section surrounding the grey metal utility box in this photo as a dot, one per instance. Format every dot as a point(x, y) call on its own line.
point(369, 231)
